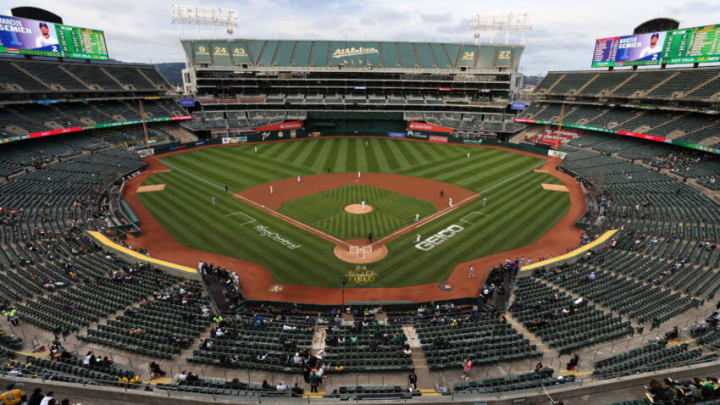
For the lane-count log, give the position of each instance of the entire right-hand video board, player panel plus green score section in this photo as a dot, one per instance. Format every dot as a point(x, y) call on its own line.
point(689, 45)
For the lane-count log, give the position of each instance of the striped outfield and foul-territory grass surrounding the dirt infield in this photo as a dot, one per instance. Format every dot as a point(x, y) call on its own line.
point(518, 210)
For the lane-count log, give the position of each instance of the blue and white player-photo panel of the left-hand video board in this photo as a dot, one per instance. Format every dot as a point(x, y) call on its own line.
point(22, 34)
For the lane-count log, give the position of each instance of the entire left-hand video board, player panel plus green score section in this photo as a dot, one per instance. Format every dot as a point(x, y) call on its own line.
point(31, 37)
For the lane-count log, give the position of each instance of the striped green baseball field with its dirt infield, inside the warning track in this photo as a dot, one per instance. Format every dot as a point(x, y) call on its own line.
point(499, 203)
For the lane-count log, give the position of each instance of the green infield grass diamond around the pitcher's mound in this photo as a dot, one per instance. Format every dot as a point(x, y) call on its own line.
point(326, 211)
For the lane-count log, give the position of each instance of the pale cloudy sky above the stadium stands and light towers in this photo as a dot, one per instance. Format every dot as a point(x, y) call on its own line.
point(562, 38)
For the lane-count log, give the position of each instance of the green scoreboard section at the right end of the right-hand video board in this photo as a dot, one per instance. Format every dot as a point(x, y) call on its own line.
point(693, 45)
